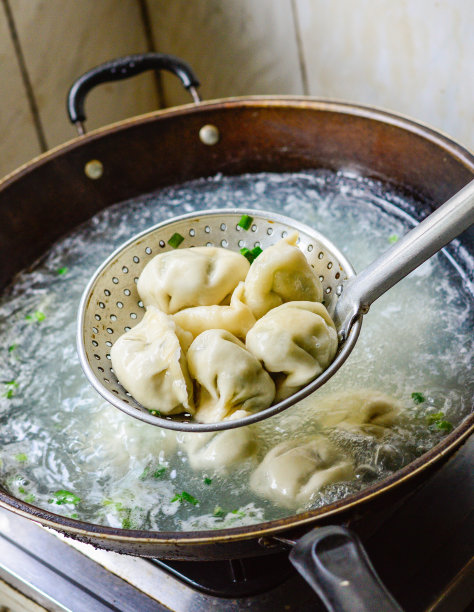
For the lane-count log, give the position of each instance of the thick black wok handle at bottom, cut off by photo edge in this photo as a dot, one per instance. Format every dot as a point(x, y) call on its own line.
point(334, 563)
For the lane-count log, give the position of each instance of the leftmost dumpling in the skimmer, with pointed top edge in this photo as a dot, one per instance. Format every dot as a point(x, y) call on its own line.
point(149, 361)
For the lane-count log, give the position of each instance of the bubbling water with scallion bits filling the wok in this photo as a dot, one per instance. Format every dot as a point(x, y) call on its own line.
point(64, 449)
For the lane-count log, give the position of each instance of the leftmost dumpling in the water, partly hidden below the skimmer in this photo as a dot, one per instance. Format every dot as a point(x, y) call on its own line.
point(219, 450)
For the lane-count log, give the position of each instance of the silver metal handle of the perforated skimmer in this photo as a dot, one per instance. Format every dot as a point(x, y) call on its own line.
point(418, 245)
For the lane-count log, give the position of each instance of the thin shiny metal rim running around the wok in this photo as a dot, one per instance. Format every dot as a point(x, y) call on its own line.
point(84, 530)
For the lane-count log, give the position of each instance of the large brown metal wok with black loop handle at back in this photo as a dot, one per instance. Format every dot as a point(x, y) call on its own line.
point(55, 192)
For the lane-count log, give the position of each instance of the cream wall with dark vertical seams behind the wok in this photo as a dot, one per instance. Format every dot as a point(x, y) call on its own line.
point(411, 56)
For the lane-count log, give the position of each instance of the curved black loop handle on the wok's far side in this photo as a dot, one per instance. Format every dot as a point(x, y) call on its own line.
point(124, 68)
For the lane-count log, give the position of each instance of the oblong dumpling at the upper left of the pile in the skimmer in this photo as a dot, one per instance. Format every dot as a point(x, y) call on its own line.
point(198, 276)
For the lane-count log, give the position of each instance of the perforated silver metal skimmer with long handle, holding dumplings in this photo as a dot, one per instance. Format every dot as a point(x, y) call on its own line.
point(111, 305)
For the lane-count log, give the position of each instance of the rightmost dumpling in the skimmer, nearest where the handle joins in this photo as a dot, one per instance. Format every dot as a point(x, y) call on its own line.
point(295, 341)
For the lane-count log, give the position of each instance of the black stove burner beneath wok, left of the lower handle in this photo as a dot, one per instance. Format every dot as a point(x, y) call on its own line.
point(235, 578)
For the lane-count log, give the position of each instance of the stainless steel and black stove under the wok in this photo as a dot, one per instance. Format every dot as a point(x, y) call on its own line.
point(422, 551)
